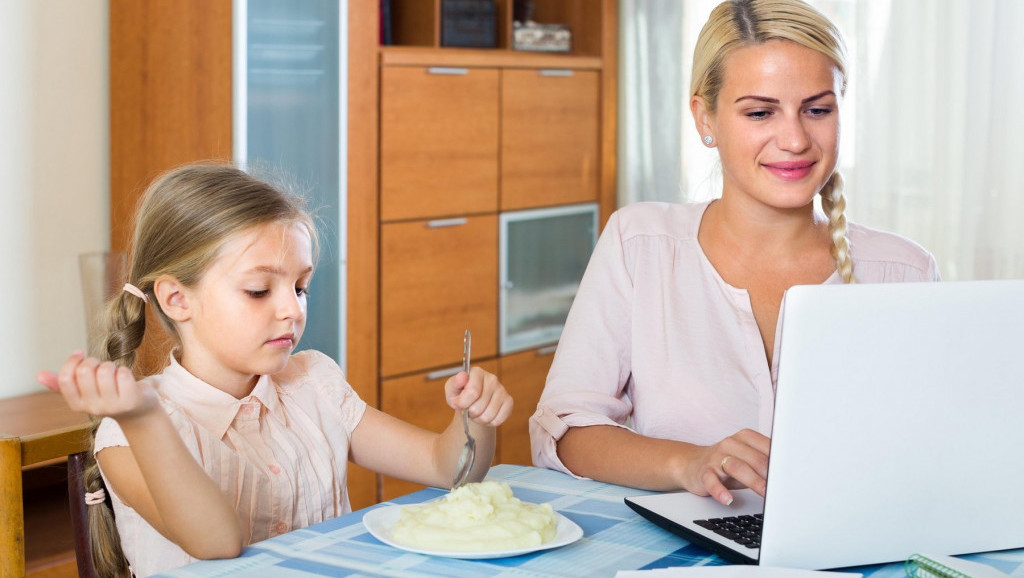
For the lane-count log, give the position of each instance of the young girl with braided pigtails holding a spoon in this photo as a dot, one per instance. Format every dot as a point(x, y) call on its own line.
point(237, 440)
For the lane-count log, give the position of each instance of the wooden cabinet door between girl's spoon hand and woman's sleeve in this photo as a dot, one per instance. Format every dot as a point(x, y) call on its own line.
point(524, 376)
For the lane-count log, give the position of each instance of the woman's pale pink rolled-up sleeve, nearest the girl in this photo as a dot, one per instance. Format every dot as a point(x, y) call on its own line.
point(591, 369)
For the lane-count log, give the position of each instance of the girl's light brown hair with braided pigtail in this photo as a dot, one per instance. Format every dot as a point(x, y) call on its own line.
point(183, 221)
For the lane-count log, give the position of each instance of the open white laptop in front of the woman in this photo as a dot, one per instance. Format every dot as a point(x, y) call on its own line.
point(899, 429)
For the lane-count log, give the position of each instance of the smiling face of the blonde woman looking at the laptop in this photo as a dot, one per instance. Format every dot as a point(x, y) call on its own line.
point(777, 127)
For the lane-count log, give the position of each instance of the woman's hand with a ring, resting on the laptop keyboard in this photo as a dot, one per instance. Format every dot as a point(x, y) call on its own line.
point(740, 461)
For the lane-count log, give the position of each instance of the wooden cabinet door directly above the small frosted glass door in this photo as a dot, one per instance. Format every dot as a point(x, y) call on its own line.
point(550, 138)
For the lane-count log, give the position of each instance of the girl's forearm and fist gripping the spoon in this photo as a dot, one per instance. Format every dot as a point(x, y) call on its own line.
point(396, 448)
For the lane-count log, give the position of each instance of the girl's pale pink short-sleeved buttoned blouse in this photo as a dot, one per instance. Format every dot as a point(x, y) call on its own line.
point(281, 455)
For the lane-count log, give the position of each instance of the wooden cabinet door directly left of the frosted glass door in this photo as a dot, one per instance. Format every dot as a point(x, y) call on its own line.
point(439, 278)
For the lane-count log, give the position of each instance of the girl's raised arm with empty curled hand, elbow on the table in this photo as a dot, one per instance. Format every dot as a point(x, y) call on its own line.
point(156, 476)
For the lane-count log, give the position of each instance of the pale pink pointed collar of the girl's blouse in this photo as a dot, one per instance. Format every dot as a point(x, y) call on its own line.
point(214, 409)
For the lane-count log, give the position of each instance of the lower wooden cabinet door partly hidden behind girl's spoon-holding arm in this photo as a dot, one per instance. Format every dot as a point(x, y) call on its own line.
point(420, 401)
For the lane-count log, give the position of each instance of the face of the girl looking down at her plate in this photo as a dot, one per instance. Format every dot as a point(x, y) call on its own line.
point(249, 311)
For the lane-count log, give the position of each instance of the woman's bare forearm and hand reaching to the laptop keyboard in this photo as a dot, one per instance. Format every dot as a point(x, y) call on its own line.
point(622, 457)
